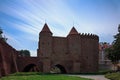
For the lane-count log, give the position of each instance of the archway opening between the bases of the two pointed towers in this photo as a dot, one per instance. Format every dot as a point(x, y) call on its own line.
point(58, 69)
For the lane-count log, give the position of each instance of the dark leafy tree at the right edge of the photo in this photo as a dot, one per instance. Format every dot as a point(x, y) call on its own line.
point(114, 51)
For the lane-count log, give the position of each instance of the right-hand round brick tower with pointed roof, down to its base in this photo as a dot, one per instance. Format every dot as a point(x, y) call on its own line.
point(74, 48)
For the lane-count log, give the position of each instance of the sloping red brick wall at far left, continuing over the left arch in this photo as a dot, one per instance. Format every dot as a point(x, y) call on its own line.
point(10, 62)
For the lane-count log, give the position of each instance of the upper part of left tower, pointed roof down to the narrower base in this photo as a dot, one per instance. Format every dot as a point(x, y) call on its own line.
point(45, 41)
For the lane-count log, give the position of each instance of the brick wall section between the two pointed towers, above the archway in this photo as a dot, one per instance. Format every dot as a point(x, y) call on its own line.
point(59, 48)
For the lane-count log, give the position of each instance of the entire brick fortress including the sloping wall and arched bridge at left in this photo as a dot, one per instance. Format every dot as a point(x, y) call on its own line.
point(75, 53)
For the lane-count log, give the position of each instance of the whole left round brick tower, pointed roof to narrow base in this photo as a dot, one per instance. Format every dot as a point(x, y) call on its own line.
point(45, 47)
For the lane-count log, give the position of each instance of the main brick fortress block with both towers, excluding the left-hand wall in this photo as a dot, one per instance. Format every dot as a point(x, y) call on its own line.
point(72, 54)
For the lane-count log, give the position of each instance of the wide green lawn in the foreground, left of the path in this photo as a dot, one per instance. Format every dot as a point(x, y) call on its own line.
point(40, 76)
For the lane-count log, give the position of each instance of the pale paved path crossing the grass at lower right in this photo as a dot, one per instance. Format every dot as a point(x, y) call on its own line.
point(95, 77)
